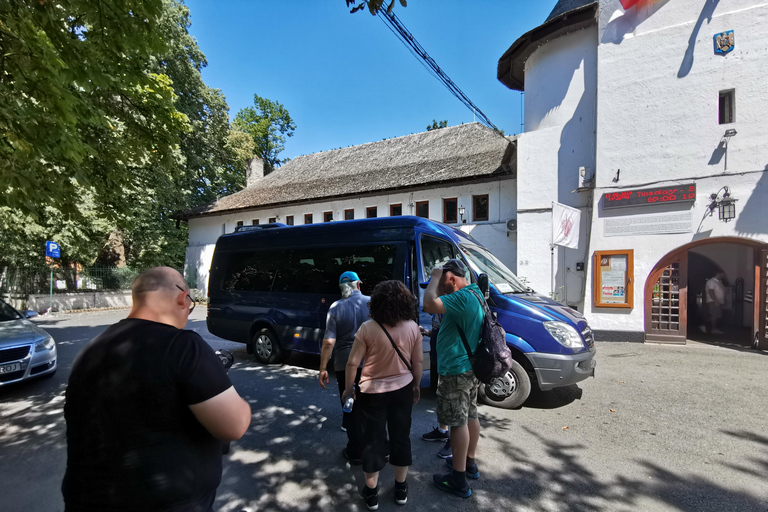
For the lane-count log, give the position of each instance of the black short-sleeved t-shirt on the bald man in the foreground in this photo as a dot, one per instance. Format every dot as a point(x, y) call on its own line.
point(132, 442)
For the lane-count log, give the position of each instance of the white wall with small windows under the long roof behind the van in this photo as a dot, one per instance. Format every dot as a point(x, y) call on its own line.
point(502, 197)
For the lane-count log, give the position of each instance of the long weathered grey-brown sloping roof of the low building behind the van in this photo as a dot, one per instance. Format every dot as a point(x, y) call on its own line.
point(468, 152)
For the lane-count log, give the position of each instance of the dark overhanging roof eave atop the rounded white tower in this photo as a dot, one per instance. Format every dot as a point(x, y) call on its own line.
point(567, 16)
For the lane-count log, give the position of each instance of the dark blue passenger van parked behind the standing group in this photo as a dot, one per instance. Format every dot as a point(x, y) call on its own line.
point(271, 285)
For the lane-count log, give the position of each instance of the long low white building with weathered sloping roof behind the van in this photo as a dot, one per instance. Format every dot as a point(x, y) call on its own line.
point(462, 175)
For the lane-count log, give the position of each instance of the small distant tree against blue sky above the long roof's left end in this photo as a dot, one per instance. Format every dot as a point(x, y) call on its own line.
point(268, 123)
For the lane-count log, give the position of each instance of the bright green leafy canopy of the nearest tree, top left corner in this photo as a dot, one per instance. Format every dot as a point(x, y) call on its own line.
point(79, 110)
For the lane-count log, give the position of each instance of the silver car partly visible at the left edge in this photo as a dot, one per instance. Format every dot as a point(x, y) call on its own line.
point(26, 351)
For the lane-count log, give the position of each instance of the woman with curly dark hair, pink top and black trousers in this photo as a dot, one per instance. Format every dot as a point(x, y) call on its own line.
point(389, 385)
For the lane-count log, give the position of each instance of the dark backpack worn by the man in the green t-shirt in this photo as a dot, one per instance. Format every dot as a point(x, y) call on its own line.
point(492, 358)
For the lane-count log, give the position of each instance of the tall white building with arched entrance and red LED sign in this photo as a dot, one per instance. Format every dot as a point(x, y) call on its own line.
point(661, 118)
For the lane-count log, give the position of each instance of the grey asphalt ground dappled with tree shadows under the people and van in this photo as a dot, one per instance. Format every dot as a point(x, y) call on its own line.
point(659, 429)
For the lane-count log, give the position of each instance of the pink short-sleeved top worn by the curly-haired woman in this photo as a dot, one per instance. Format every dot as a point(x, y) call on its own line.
point(383, 370)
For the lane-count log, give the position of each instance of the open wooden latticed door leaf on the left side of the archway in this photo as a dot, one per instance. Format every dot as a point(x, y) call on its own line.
point(666, 301)
